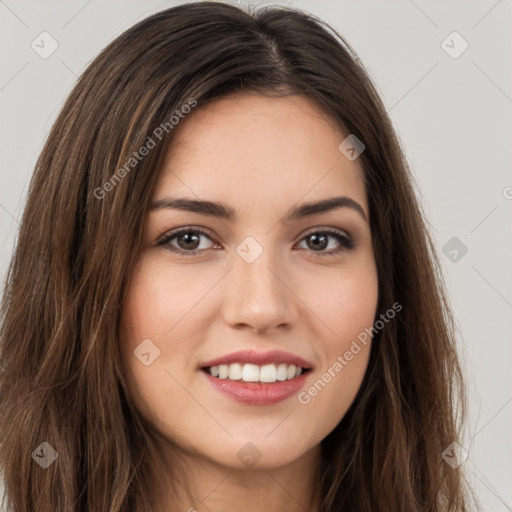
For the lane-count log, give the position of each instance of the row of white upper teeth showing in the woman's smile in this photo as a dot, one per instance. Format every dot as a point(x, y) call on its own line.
point(253, 373)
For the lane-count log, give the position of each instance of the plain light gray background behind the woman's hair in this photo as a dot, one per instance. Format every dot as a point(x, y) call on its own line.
point(453, 116)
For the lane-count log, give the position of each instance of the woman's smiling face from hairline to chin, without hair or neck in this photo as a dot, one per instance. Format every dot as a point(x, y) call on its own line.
point(241, 329)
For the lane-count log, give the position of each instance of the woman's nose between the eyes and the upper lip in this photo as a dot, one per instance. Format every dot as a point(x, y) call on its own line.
point(258, 296)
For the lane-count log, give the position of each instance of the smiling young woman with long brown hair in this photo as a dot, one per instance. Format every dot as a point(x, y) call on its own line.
point(223, 295)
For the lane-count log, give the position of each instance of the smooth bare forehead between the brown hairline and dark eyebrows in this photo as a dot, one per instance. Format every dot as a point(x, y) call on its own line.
point(246, 148)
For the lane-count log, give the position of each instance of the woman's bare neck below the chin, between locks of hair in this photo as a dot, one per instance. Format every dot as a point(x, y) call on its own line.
point(207, 486)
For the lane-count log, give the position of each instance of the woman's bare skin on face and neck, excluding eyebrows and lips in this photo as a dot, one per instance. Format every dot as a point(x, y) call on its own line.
point(261, 156)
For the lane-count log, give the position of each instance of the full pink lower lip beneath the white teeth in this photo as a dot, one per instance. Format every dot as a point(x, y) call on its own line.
point(255, 393)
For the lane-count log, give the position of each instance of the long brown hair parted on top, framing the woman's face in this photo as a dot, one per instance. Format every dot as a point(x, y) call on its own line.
point(61, 377)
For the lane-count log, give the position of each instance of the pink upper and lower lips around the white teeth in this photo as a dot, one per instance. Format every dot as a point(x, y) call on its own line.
point(256, 393)
